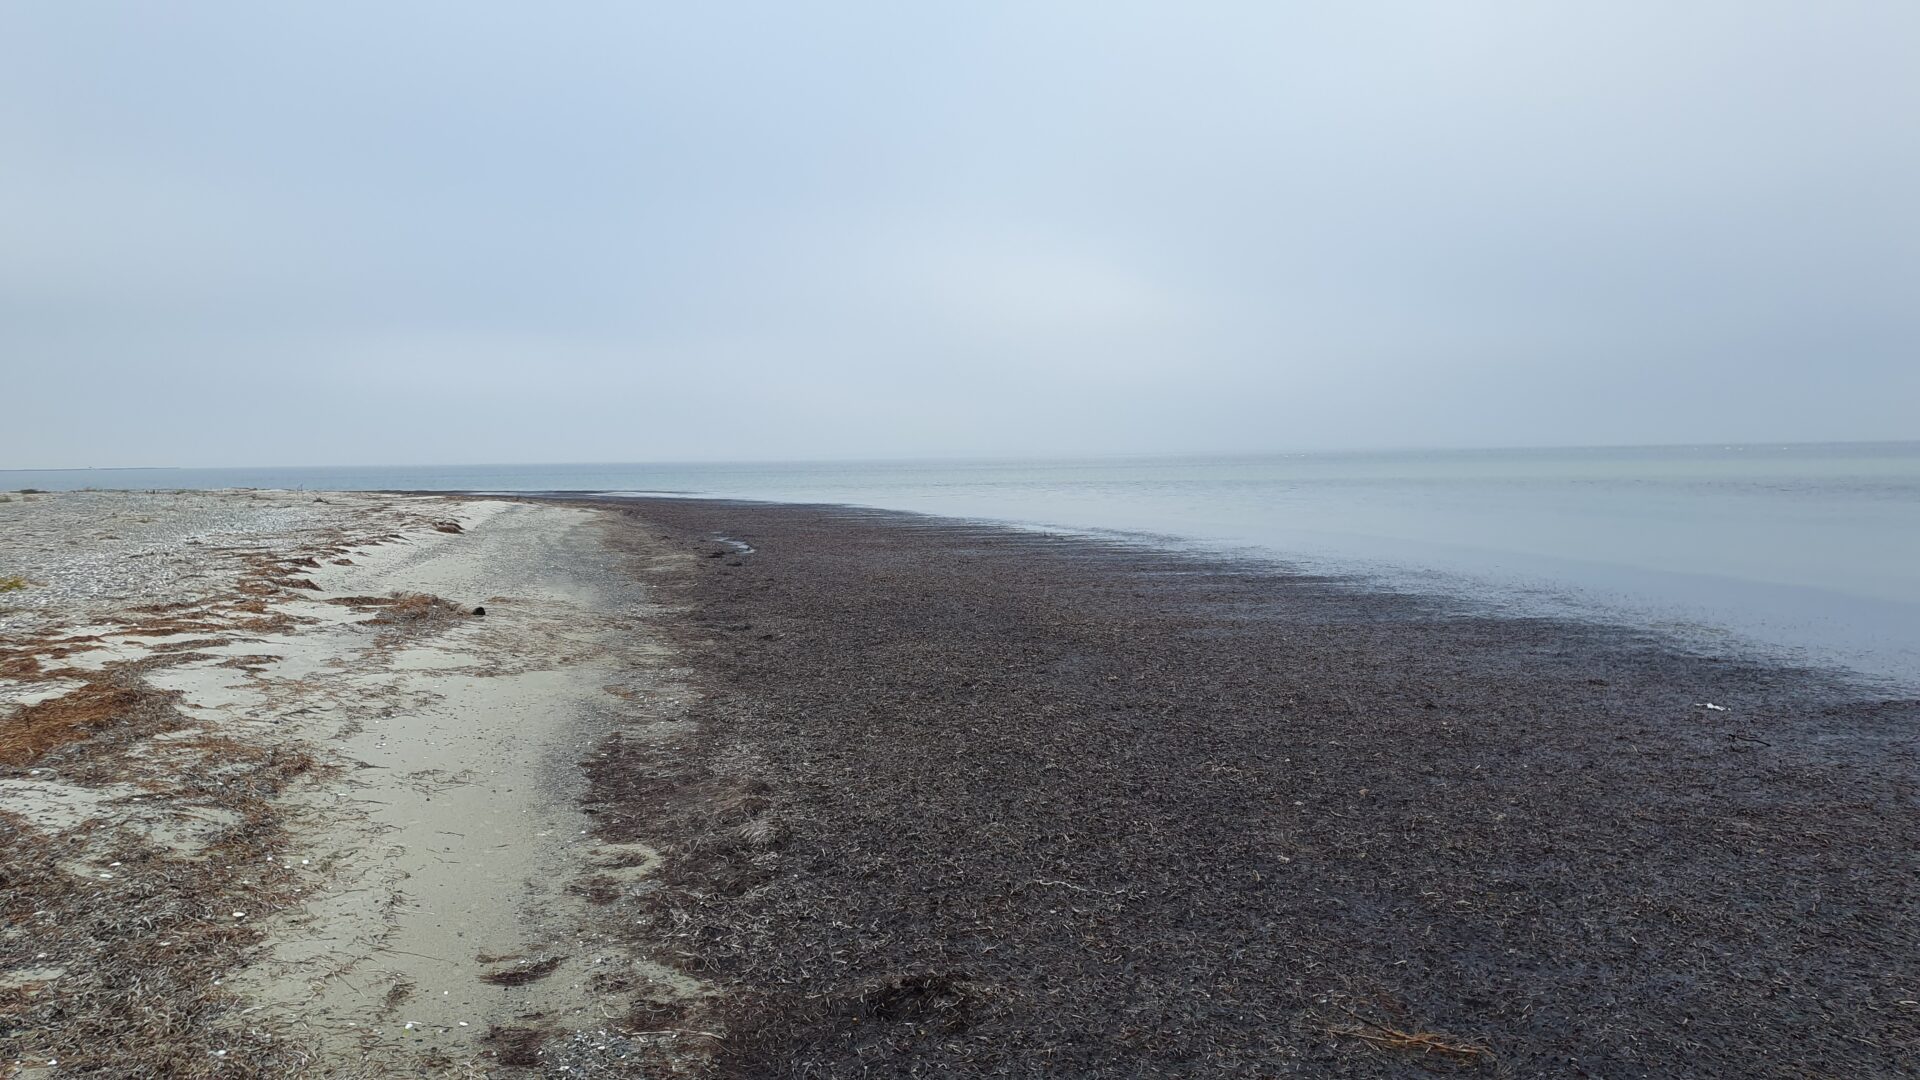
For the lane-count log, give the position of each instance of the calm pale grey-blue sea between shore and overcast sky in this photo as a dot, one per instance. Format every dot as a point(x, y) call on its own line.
point(1806, 552)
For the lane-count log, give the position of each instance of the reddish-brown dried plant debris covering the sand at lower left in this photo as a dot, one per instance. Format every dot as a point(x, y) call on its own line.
point(118, 941)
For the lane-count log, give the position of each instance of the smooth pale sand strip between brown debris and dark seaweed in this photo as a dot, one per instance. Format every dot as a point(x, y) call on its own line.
point(454, 845)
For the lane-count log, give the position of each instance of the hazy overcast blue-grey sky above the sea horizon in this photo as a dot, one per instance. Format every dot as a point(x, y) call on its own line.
point(435, 233)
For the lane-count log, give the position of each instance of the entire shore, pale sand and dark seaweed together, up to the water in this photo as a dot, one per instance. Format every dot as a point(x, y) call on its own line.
point(352, 785)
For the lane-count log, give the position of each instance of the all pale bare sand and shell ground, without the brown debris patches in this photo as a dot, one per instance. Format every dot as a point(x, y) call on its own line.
point(443, 864)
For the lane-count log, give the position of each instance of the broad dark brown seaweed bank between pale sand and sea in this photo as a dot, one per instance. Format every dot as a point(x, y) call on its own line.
point(974, 802)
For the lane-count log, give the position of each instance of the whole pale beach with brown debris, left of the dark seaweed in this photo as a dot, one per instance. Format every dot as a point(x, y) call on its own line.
point(283, 800)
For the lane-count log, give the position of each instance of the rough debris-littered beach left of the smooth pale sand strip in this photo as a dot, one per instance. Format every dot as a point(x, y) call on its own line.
point(145, 831)
